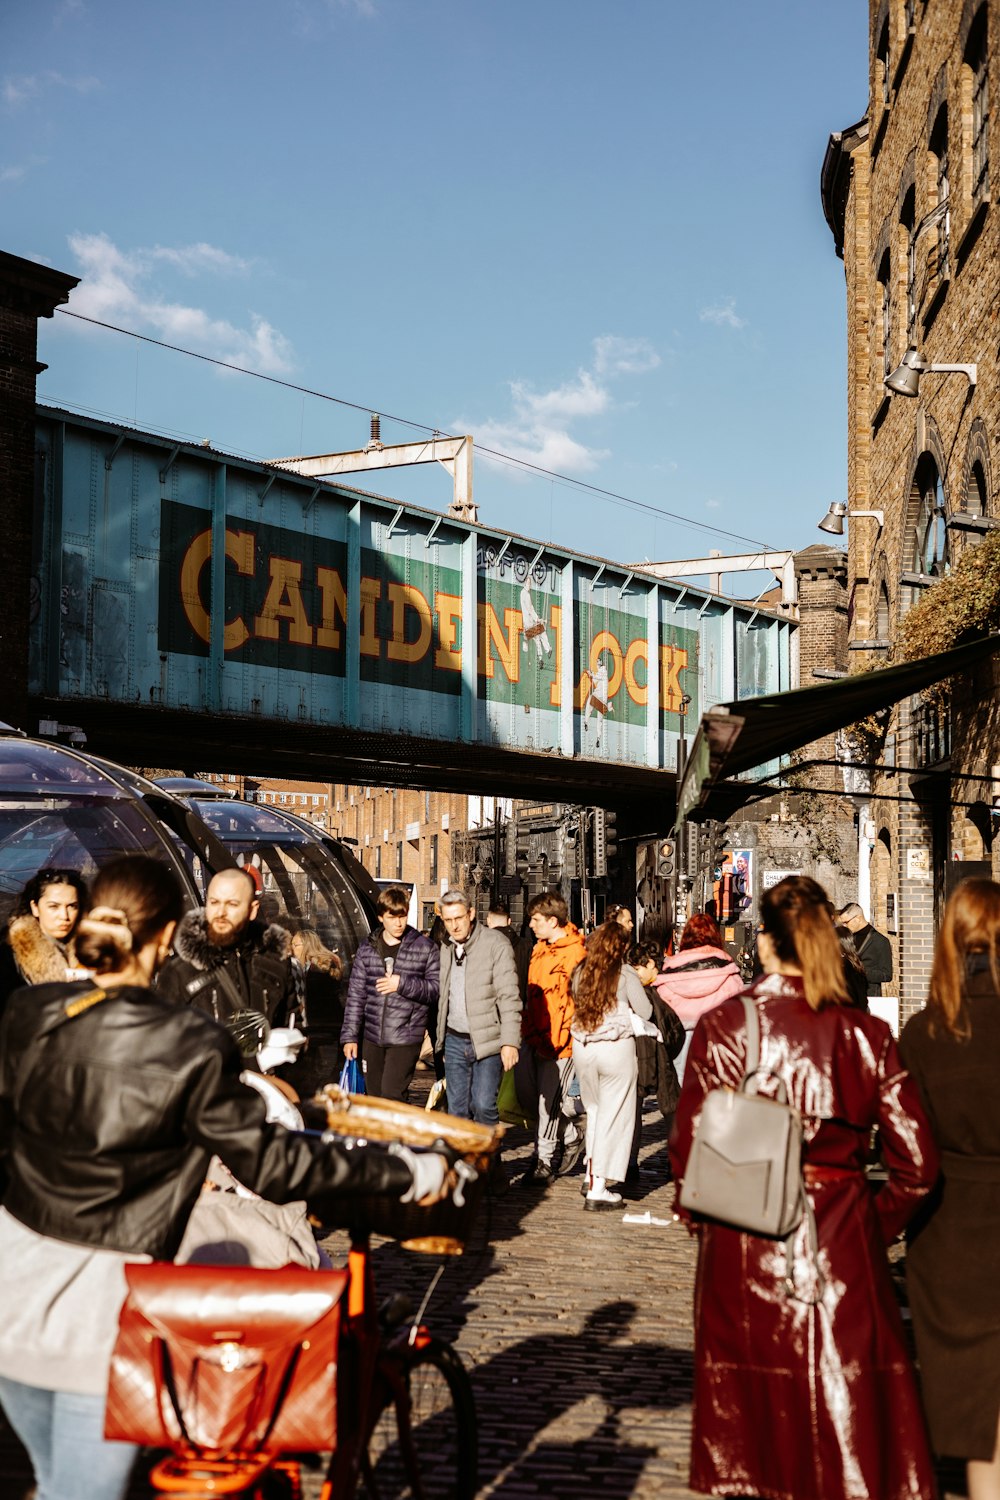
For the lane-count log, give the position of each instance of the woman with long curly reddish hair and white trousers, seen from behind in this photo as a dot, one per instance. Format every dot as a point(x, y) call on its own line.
point(606, 994)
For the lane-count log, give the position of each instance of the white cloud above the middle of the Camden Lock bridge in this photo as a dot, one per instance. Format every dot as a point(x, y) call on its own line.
point(539, 428)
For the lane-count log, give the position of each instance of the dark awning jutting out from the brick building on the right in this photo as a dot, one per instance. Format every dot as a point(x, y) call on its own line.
point(737, 737)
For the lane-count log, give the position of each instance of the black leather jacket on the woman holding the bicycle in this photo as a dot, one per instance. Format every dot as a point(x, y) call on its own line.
point(109, 1121)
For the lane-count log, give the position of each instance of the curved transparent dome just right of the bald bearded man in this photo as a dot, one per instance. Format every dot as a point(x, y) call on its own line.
point(301, 875)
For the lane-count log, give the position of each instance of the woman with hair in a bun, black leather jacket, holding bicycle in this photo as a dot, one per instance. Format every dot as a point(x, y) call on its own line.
point(113, 1103)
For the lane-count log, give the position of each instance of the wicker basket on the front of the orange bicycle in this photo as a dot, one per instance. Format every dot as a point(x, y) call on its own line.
point(442, 1229)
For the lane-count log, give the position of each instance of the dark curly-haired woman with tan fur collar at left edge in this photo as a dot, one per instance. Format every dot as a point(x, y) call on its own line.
point(38, 943)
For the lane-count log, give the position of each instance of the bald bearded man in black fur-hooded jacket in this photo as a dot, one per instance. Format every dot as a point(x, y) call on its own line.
point(233, 967)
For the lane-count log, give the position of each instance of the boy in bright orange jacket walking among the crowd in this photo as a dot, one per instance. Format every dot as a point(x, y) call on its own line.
point(546, 1060)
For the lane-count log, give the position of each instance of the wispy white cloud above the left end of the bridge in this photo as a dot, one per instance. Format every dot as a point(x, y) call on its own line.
point(116, 289)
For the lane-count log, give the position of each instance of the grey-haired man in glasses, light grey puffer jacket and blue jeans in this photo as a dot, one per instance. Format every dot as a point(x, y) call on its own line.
point(479, 1013)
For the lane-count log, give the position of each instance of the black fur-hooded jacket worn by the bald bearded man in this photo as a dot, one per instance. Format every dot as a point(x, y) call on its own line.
point(259, 973)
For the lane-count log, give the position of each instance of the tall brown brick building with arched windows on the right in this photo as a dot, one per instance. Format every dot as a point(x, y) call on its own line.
point(908, 196)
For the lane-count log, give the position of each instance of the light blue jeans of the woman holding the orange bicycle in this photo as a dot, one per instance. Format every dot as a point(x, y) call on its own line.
point(65, 1439)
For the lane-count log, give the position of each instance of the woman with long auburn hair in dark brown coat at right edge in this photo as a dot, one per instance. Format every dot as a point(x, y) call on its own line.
point(953, 1049)
